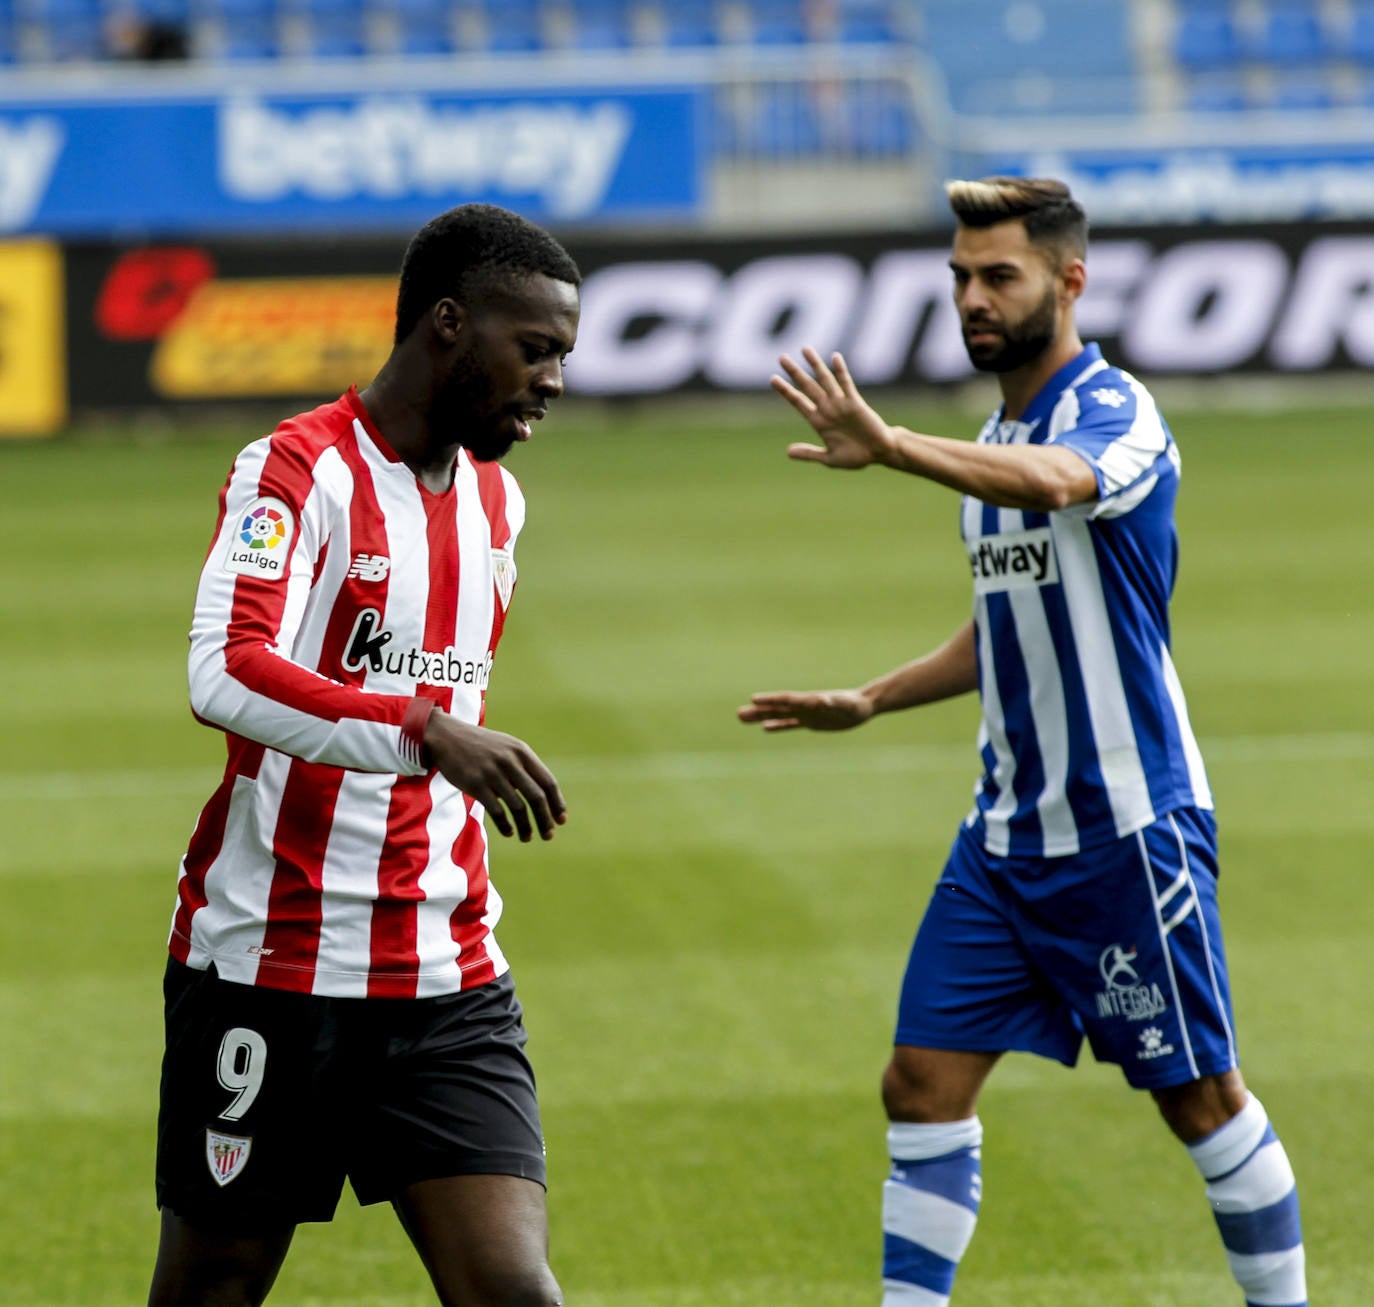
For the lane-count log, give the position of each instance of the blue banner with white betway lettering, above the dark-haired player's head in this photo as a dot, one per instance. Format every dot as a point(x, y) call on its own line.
point(254, 161)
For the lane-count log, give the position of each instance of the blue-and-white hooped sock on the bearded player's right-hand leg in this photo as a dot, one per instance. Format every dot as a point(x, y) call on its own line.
point(1254, 1198)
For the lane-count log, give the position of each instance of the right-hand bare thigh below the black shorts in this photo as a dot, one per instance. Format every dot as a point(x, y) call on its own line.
point(484, 1240)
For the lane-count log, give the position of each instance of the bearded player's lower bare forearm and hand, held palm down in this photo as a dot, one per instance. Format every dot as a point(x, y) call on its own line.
point(946, 673)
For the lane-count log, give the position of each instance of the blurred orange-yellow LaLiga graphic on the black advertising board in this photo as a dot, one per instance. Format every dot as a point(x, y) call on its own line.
point(277, 336)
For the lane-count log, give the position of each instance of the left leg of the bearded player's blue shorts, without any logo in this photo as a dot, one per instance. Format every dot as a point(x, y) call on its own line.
point(971, 985)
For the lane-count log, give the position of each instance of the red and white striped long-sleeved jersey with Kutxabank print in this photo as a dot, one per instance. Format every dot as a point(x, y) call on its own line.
point(339, 596)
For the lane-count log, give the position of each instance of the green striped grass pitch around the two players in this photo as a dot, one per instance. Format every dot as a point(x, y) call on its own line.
point(710, 952)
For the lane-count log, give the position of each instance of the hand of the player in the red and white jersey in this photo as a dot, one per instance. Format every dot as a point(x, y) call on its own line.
point(502, 773)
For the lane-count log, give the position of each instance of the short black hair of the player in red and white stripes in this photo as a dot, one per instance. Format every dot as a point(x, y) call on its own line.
point(471, 252)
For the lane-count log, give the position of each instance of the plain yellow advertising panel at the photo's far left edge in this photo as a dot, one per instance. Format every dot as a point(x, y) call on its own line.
point(34, 375)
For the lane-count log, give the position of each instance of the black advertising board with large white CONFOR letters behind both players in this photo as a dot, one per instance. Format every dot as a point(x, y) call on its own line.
point(243, 321)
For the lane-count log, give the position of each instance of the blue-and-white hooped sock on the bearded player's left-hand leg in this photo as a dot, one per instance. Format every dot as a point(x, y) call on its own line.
point(930, 1209)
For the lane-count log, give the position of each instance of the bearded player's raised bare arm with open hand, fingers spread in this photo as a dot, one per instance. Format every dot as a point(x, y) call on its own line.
point(854, 435)
